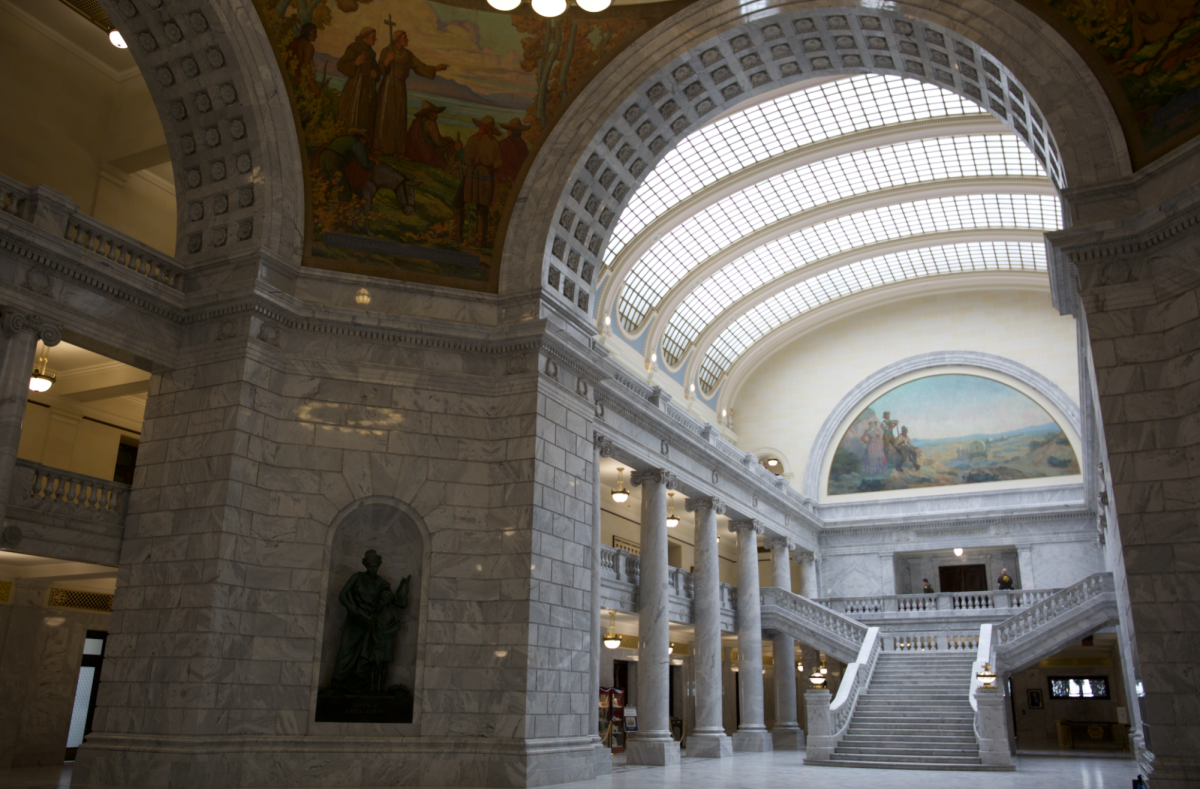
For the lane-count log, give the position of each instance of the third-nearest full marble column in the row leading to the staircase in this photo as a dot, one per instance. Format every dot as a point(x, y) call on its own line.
point(753, 734)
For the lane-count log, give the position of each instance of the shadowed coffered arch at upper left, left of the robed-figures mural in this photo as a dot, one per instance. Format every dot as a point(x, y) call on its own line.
point(224, 106)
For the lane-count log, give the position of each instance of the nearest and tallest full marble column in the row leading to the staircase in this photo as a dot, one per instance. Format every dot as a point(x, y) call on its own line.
point(653, 744)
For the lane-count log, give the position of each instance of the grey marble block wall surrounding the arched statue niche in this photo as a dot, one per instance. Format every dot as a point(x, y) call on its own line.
point(249, 459)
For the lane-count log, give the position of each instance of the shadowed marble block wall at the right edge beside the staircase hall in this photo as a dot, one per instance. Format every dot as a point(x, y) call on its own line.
point(1143, 300)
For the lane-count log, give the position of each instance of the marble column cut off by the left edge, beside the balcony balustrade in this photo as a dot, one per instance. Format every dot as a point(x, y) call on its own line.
point(21, 336)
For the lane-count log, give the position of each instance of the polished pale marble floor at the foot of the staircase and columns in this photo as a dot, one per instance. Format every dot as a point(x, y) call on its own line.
point(787, 770)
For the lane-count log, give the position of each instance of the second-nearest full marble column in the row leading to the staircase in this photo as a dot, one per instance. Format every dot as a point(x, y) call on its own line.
point(709, 739)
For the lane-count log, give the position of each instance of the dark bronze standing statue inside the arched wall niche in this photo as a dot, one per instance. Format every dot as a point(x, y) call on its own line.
point(374, 616)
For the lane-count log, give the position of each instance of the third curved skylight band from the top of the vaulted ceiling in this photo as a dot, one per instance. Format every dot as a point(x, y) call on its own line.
point(777, 258)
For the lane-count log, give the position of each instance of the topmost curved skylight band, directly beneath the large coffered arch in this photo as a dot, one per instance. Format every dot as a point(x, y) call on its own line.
point(767, 130)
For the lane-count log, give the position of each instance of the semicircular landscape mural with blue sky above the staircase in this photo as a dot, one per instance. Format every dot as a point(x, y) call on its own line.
point(946, 431)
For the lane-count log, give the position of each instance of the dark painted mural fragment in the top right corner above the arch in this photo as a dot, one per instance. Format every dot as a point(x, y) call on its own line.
point(1153, 50)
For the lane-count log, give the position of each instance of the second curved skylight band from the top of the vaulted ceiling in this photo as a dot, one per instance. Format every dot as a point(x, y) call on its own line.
point(838, 178)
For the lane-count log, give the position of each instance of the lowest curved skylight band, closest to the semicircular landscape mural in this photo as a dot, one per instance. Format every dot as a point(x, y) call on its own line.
point(811, 294)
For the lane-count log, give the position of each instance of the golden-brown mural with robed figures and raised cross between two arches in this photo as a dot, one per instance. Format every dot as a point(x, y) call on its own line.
point(418, 118)
